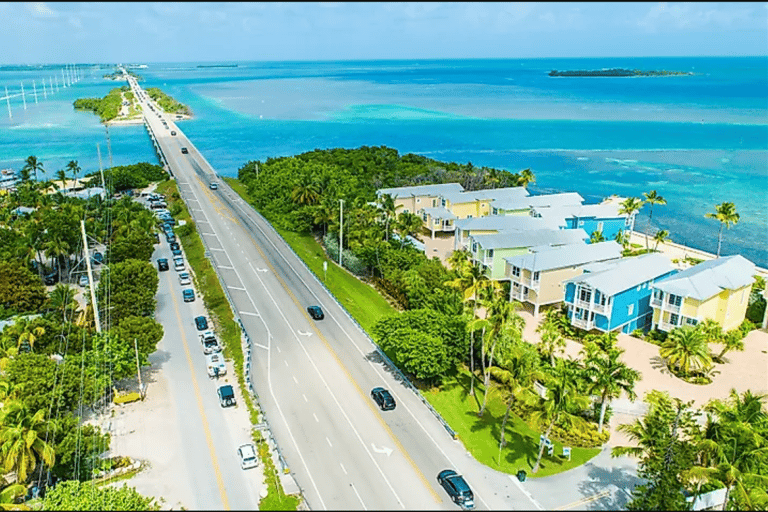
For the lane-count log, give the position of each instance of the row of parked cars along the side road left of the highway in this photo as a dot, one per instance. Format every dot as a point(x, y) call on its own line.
point(211, 347)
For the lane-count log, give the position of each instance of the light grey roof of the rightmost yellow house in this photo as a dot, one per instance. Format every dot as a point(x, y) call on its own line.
point(709, 278)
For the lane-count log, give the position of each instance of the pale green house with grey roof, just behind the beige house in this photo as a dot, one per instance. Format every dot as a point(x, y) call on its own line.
point(490, 251)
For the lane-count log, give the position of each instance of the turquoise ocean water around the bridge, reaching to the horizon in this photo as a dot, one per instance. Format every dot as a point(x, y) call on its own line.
point(697, 140)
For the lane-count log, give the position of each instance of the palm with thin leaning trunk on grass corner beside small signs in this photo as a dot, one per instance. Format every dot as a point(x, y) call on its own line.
point(562, 398)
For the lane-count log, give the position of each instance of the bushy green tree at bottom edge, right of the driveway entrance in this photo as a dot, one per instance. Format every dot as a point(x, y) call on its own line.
point(664, 442)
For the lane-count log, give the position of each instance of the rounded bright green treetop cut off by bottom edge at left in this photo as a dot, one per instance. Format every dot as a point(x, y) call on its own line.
point(75, 495)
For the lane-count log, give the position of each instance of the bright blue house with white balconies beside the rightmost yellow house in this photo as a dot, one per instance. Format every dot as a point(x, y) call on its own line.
point(616, 295)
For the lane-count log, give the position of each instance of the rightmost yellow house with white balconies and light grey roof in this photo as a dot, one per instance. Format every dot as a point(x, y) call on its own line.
point(716, 289)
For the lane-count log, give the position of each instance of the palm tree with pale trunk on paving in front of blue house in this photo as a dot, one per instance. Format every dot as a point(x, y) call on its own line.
point(609, 377)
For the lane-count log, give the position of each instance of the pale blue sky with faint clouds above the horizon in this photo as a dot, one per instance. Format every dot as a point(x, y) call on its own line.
point(129, 32)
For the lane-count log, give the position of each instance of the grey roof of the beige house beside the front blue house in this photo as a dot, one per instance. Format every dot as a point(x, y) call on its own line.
point(567, 256)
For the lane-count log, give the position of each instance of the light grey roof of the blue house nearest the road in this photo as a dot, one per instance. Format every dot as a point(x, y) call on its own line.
point(614, 276)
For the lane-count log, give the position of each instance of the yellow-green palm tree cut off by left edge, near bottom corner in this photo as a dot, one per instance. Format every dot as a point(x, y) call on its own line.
point(22, 440)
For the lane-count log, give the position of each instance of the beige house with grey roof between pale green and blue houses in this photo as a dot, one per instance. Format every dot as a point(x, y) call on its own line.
point(537, 278)
